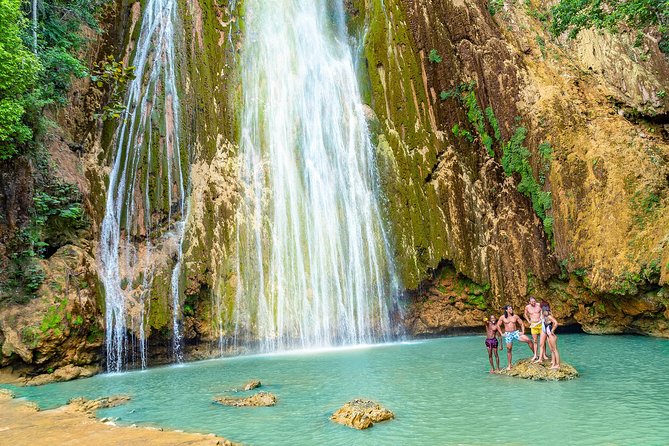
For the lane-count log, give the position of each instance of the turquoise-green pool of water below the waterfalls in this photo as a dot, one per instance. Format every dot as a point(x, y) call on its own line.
point(439, 390)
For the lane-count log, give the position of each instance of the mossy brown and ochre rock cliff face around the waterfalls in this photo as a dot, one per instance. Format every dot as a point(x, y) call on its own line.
point(476, 118)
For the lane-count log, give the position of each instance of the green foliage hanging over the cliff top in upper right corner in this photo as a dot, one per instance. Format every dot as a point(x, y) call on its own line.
point(575, 15)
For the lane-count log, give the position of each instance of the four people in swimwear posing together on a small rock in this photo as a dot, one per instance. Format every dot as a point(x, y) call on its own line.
point(542, 328)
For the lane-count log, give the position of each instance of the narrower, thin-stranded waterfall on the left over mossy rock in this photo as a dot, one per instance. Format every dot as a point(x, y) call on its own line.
point(148, 157)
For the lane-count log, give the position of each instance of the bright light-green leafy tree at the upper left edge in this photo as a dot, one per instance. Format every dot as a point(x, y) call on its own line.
point(18, 74)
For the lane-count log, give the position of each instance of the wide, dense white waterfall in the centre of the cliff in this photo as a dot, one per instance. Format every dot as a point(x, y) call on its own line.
point(314, 266)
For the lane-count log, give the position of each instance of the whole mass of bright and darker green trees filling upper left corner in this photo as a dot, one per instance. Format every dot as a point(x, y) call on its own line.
point(31, 80)
